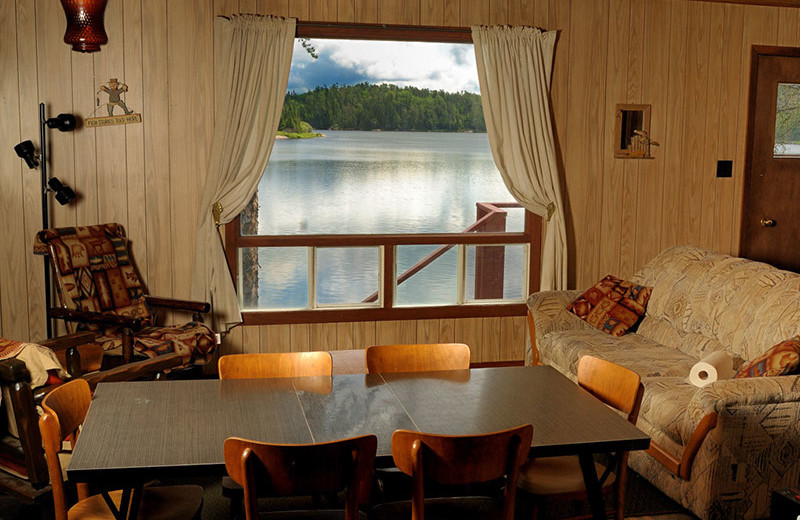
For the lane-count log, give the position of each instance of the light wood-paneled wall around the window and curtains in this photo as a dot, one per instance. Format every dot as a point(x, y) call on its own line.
point(689, 59)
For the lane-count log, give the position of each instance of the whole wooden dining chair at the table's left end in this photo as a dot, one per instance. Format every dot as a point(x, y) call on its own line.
point(64, 411)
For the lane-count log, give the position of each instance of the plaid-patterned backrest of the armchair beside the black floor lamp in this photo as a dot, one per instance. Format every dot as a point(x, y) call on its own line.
point(94, 271)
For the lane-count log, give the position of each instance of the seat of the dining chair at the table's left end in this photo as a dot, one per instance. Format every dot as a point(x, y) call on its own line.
point(158, 503)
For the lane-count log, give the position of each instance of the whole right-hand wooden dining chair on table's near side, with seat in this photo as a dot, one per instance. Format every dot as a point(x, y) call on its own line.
point(457, 461)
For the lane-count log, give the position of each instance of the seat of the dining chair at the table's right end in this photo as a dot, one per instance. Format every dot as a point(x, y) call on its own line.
point(556, 475)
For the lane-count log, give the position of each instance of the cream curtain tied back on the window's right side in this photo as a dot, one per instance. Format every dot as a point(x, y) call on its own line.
point(514, 67)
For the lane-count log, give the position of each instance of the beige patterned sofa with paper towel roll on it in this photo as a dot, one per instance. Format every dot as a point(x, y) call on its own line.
point(717, 450)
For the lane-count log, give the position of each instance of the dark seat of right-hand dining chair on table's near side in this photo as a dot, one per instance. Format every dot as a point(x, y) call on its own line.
point(456, 508)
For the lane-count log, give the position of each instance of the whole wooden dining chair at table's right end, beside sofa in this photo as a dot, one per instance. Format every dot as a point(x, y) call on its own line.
point(560, 478)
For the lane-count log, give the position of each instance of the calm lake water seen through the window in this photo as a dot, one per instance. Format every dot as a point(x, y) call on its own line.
point(377, 182)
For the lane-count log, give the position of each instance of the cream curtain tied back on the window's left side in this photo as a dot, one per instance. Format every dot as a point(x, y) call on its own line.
point(252, 59)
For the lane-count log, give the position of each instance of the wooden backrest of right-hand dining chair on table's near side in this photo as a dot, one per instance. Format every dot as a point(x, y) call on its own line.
point(458, 460)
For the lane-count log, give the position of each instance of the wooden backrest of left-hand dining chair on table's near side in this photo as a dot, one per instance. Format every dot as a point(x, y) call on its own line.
point(301, 469)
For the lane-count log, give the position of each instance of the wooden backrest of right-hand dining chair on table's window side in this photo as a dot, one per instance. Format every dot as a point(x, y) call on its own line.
point(417, 358)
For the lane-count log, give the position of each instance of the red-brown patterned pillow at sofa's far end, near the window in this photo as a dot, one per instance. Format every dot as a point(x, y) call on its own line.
point(612, 305)
